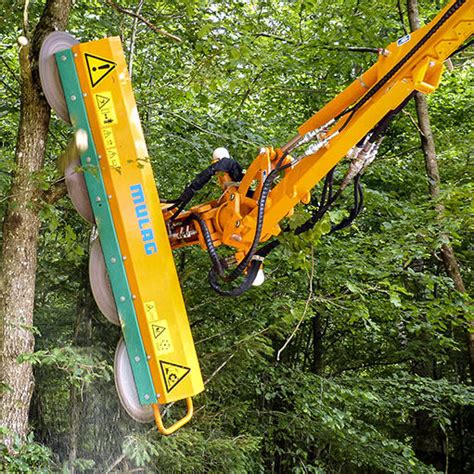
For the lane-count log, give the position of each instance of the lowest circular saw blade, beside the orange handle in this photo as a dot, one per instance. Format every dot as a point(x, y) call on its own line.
point(126, 389)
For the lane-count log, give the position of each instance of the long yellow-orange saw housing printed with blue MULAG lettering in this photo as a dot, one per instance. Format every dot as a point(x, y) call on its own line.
point(139, 222)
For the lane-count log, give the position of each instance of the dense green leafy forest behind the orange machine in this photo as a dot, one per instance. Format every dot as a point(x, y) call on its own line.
point(352, 357)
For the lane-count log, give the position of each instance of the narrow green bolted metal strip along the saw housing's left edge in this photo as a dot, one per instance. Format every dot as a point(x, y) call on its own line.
point(107, 234)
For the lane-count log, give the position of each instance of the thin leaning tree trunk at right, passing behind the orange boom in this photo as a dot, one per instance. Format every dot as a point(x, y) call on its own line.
point(431, 163)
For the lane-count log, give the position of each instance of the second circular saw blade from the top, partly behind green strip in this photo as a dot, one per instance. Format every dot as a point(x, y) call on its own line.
point(76, 186)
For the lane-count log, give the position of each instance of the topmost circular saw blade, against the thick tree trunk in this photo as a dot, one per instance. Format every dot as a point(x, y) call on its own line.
point(49, 76)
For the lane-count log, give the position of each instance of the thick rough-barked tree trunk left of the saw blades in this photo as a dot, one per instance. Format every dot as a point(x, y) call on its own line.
point(18, 258)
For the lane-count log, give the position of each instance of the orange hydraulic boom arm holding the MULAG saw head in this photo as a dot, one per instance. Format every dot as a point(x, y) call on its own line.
point(232, 219)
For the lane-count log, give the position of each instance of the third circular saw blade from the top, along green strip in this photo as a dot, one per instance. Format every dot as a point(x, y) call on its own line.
point(100, 284)
